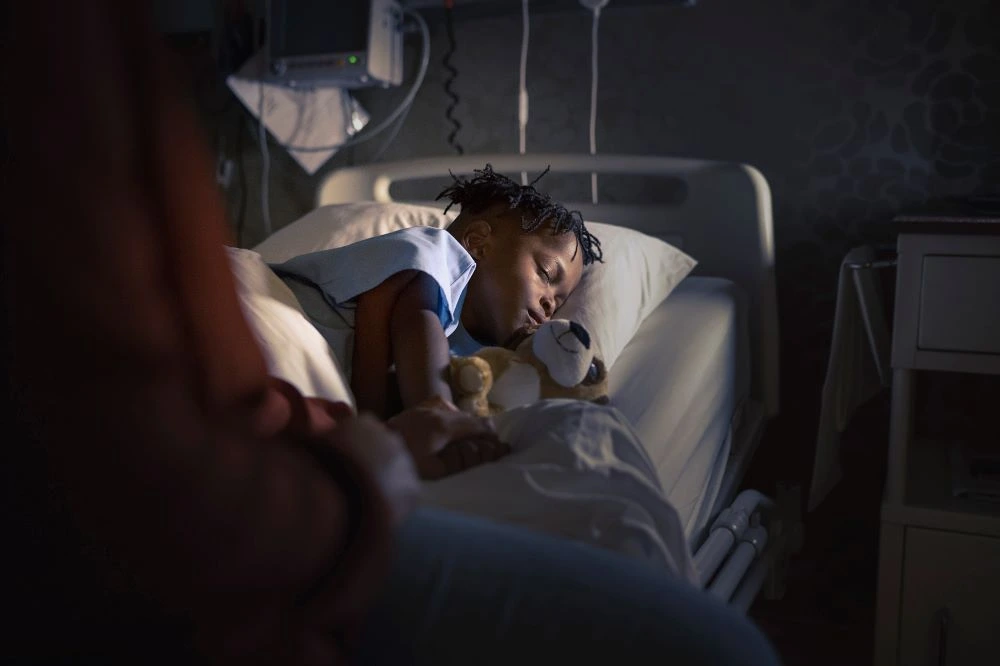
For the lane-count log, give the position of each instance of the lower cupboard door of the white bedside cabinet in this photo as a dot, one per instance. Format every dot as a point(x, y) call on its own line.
point(951, 588)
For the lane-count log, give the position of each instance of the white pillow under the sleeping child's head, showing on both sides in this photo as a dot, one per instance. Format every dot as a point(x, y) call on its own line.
point(612, 300)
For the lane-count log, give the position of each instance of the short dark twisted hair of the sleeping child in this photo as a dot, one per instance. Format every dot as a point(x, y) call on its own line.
point(488, 188)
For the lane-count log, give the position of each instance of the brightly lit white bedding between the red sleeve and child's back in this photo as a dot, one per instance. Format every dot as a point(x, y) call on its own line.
point(292, 347)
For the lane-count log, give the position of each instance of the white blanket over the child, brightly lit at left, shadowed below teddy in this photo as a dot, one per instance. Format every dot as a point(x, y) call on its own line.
point(577, 470)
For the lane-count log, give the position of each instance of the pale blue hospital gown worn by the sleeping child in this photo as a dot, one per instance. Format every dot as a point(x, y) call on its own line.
point(327, 283)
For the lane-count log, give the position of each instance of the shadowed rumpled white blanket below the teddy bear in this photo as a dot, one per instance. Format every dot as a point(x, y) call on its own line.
point(579, 471)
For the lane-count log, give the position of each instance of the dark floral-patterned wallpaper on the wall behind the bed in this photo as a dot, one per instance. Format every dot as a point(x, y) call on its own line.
point(851, 109)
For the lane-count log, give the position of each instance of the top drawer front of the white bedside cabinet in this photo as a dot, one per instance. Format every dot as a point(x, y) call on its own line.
point(960, 304)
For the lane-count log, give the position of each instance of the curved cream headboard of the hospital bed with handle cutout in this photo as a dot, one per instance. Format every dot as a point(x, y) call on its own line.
point(720, 213)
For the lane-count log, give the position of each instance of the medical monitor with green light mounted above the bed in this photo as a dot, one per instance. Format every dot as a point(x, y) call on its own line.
point(340, 43)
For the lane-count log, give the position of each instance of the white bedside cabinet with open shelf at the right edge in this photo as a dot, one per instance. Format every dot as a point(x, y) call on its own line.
point(939, 555)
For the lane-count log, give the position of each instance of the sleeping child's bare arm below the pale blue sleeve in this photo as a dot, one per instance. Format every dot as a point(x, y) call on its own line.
point(397, 322)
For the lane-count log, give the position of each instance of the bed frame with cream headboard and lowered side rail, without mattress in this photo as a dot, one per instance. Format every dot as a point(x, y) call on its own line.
point(719, 213)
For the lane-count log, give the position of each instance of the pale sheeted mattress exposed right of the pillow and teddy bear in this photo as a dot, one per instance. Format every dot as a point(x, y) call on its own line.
point(681, 382)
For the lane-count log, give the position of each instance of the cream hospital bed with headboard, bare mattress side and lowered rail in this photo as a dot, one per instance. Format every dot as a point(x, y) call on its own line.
point(699, 379)
